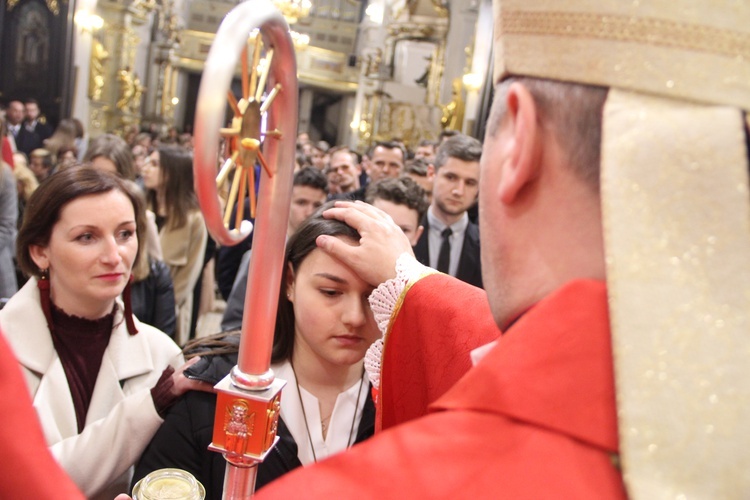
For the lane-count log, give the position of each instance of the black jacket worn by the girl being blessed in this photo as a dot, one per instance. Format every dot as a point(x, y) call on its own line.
point(183, 439)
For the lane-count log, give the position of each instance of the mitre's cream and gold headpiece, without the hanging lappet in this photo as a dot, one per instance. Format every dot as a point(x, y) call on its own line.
point(697, 50)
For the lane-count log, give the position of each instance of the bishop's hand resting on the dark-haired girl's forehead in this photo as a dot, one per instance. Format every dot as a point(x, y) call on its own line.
point(381, 241)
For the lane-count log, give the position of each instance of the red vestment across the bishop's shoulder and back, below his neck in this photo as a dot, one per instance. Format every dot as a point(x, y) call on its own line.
point(534, 419)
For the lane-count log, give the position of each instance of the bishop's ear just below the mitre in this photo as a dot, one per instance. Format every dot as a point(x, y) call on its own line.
point(524, 147)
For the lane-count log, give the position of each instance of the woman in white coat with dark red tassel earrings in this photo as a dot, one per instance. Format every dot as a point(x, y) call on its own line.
point(99, 379)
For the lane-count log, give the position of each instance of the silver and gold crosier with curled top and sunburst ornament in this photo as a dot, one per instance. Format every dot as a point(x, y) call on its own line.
point(247, 406)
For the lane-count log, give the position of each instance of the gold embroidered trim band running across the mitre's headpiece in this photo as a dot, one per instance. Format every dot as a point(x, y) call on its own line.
point(651, 31)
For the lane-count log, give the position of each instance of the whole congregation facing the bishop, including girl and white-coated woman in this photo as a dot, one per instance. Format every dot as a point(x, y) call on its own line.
point(126, 210)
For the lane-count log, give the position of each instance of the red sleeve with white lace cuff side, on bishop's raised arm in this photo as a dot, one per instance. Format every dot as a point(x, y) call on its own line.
point(429, 341)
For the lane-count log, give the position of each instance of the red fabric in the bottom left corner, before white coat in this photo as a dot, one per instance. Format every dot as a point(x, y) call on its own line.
point(28, 470)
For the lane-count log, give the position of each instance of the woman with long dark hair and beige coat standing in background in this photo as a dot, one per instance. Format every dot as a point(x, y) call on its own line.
point(168, 177)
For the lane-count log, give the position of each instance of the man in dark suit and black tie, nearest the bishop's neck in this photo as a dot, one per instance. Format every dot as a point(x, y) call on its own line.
point(450, 242)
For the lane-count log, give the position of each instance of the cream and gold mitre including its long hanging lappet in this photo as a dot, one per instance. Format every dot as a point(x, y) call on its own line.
point(676, 215)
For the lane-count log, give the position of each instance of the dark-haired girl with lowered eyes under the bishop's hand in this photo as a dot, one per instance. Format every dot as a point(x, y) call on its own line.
point(324, 326)
